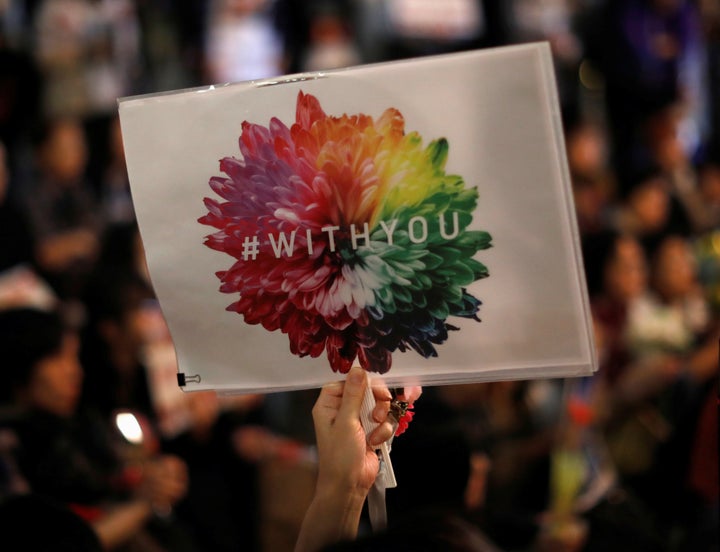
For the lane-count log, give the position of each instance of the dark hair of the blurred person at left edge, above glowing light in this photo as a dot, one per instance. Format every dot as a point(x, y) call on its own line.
point(27, 336)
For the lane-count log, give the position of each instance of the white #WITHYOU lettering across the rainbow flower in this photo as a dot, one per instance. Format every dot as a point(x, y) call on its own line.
point(284, 243)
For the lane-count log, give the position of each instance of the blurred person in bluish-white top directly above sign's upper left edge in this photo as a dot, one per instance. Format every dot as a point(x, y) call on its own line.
point(242, 43)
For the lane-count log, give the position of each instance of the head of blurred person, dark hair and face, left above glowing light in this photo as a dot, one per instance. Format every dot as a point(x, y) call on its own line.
point(41, 361)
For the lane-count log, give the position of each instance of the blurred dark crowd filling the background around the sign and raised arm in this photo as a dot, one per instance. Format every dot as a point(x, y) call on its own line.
point(97, 444)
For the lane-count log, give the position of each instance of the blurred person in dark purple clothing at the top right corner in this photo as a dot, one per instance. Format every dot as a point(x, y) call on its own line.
point(650, 53)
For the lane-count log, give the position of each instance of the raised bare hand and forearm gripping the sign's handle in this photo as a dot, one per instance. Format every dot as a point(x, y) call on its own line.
point(348, 463)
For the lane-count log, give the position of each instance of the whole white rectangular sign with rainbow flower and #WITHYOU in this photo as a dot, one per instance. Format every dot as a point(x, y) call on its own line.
point(414, 217)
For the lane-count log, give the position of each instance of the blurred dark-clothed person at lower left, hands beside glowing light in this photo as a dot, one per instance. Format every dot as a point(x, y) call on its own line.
point(69, 454)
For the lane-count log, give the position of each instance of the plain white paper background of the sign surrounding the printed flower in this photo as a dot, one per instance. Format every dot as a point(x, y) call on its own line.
point(499, 113)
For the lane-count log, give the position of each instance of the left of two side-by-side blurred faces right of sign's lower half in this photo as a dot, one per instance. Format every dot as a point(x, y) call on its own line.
point(626, 273)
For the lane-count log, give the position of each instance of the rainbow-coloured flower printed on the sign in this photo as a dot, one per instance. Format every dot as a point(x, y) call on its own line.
point(347, 235)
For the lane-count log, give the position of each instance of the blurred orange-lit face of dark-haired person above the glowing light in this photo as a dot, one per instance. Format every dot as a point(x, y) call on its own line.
point(57, 380)
